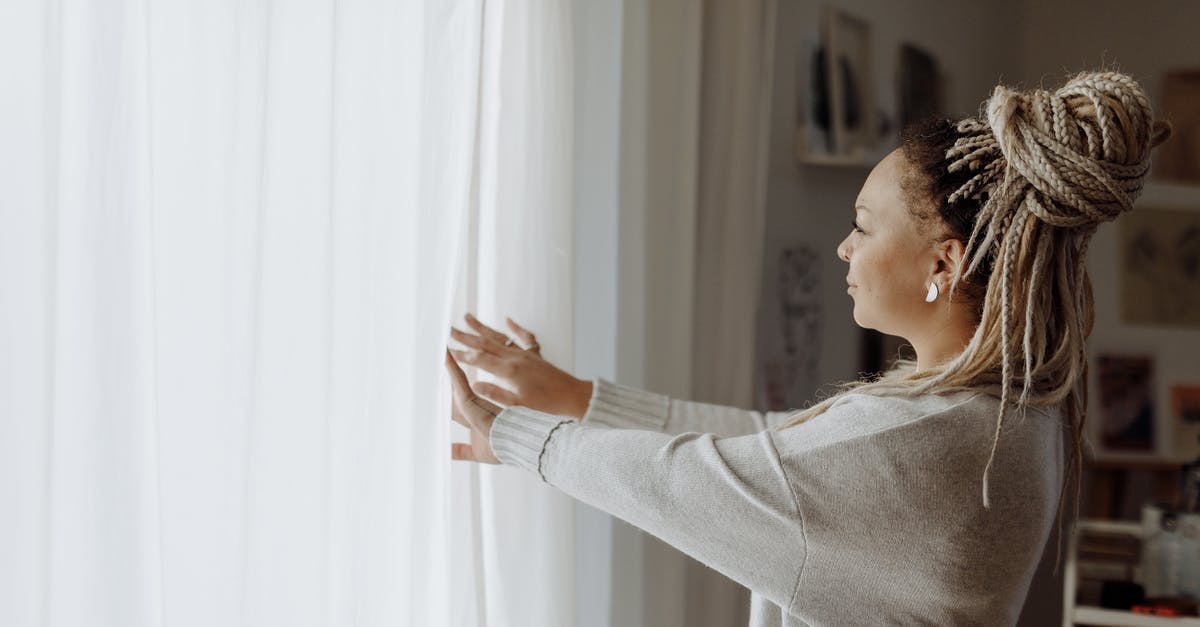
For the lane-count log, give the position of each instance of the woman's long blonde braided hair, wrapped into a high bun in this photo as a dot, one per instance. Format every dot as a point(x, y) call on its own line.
point(1036, 174)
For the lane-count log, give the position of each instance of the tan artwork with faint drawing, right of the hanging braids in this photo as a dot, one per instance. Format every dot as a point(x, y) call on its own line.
point(1161, 267)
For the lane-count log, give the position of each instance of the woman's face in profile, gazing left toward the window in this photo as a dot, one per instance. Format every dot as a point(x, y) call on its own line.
point(892, 260)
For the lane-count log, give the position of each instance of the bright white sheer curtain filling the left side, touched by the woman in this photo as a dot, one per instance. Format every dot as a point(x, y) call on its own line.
point(229, 244)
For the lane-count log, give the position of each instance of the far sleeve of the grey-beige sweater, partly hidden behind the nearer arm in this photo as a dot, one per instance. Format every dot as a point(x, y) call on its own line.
point(629, 408)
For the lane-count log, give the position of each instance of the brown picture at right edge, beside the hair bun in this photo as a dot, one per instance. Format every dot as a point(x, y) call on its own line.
point(1179, 159)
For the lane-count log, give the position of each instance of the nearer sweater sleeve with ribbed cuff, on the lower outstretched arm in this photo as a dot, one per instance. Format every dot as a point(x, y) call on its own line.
point(724, 501)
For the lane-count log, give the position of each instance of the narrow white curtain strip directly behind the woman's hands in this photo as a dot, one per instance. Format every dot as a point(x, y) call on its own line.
point(519, 264)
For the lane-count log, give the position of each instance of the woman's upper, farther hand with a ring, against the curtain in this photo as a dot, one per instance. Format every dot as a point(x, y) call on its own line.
point(525, 378)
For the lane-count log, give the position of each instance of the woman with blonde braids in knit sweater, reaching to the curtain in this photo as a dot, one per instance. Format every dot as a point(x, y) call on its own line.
point(927, 495)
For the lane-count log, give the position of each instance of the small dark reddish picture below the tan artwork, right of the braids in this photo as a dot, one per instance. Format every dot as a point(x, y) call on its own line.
point(1126, 404)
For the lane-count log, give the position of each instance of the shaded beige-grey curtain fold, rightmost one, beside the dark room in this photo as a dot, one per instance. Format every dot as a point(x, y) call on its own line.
point(737, 79)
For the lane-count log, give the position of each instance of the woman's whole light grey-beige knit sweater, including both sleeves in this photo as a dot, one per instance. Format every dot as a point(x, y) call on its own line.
point(868, 515)
